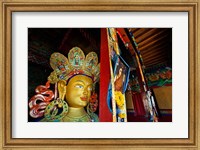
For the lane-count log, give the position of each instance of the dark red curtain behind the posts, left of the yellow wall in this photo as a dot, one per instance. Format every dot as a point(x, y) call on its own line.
point(138, 104)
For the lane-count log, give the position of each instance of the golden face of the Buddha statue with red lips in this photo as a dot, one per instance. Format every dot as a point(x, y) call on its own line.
point(78, 91)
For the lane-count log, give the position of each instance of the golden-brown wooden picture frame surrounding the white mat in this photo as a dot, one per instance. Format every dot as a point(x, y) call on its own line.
point(8, 7)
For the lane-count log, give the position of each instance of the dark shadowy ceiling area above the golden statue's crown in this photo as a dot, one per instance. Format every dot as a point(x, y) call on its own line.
point(42, 42)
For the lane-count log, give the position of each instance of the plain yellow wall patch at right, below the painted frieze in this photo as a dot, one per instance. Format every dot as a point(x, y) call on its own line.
point(164, 97)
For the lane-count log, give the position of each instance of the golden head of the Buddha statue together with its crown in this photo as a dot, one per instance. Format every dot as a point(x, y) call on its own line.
point(75, 81)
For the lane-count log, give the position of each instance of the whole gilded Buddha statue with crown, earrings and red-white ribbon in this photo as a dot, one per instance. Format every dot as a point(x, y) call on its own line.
point(74, 80)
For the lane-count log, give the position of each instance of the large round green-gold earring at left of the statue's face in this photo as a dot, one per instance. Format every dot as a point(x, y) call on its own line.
point(52, 111)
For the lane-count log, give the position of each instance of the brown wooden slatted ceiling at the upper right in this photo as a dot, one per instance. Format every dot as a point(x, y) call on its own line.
point(154, 44)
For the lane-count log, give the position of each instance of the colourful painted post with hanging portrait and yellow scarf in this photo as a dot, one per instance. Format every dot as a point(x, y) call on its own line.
point(119, 79)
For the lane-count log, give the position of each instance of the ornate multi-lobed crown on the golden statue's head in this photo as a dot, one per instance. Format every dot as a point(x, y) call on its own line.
point(76, 64)
